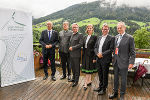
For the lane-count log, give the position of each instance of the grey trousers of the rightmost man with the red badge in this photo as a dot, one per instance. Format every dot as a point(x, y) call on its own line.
point(123, 73)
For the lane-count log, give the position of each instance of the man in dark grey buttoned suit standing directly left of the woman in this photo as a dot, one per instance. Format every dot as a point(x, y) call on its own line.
point(76, 43)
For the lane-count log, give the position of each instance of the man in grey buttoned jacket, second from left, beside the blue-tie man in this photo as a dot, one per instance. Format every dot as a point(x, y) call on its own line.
point(64, 39)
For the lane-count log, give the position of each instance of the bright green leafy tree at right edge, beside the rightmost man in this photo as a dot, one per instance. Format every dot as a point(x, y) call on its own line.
point(142, 38)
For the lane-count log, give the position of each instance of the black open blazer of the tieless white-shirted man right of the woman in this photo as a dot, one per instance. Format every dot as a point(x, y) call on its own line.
point(107, 49)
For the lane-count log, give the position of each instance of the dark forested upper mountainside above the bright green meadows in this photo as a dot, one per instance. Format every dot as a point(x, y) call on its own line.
point(84, 11)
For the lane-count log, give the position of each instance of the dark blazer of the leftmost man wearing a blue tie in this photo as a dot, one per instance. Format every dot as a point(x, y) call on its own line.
point(44, 40)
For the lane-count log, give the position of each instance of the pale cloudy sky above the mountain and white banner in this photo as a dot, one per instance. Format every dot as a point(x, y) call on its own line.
point(41, 8)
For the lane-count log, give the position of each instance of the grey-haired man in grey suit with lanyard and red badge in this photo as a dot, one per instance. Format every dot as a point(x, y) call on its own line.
point(124, 57)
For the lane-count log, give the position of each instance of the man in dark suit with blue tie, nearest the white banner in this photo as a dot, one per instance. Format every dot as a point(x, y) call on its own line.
point(49, 39)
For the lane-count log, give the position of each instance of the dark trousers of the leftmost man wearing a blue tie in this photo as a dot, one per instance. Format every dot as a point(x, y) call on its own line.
point(51, 57)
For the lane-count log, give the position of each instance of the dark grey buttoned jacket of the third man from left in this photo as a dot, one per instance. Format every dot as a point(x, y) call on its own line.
point(76, 42)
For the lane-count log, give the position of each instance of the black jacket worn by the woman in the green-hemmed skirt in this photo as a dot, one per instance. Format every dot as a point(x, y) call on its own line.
point(90, 46)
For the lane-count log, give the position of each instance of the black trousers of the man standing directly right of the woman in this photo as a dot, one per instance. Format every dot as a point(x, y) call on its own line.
point(103, 70)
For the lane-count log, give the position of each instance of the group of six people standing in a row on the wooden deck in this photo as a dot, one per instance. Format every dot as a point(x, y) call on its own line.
point(98, 53)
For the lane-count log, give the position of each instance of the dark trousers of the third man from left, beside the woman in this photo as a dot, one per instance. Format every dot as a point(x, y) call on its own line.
point(75, 66)
